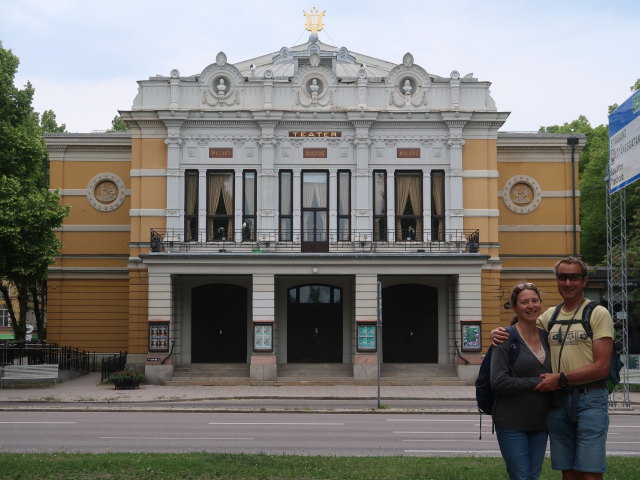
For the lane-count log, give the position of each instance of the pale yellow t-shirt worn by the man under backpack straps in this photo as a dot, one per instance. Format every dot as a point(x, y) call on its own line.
point(578, 347)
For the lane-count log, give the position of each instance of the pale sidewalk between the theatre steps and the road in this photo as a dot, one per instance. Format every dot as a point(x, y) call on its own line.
point(88, 390)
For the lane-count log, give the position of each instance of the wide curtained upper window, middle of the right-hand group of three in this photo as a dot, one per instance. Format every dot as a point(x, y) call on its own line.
point(408, 205)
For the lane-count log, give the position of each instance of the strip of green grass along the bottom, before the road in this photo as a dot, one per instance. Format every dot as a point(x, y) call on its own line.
point(200, 466)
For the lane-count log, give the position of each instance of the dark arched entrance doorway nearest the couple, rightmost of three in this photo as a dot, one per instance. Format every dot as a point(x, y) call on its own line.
point(410, 324)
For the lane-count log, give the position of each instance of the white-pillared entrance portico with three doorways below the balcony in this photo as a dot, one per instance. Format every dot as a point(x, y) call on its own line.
point(221, 309)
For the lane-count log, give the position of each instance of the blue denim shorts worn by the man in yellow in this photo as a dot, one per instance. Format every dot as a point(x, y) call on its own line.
point(579, 443)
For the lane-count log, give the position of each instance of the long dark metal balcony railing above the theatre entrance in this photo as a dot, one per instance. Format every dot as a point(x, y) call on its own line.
point(272, 241)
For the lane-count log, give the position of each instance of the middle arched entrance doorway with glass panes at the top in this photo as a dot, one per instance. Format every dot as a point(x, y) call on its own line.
point(314, 324)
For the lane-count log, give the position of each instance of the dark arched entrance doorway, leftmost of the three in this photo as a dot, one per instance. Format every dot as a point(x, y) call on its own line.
point(219, 324)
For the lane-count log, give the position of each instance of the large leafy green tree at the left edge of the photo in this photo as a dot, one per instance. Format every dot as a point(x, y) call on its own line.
point(28, 210)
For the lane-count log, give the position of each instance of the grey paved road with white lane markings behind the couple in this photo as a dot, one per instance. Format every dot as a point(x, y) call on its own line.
point(361, 434)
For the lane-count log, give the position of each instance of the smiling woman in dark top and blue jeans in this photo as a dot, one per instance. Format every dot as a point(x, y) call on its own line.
point(520, 414)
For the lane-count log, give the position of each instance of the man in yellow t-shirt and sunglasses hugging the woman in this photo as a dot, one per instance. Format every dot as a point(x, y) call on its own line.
point(579, 420)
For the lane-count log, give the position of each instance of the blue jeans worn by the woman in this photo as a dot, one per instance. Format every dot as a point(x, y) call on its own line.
point(523, 452)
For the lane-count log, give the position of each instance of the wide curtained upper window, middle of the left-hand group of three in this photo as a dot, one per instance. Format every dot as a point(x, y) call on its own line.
point(219, 205)
